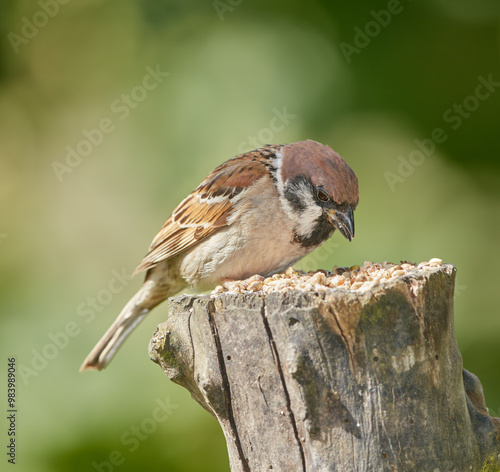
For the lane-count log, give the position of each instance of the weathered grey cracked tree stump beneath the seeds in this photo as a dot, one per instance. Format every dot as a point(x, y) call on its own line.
point(334, 381)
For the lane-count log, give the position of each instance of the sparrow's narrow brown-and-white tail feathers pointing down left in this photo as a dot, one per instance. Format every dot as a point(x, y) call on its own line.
point(131, 315)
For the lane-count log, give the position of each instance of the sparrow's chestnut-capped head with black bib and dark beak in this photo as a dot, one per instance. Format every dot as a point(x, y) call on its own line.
point(318, 190)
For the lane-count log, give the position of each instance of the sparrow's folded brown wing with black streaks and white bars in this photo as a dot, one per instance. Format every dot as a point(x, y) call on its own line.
point(206, 209)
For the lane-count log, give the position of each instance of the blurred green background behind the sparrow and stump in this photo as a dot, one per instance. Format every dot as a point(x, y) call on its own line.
point(232, 65)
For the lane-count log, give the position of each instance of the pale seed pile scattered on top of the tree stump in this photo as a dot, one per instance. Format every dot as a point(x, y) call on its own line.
point(348, 278)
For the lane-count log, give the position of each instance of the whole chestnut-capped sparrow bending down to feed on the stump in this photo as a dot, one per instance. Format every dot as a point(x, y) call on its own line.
point(257, 213)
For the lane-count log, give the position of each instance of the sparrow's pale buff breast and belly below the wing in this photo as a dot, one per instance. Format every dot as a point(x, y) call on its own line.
point(258, 240)
